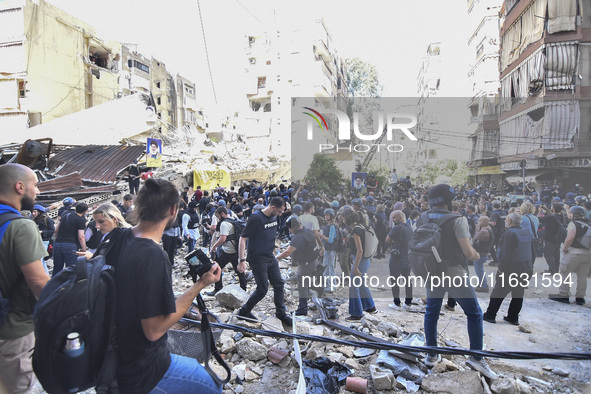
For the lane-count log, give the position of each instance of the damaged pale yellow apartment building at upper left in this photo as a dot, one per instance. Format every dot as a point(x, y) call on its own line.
point(51, 65)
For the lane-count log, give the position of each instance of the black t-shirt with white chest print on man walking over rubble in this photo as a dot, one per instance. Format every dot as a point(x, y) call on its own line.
point(260, 230)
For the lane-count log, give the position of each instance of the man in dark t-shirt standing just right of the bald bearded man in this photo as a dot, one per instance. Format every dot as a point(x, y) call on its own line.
point(69, 237)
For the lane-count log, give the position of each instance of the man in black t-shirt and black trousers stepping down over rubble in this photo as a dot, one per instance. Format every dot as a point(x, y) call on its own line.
point(260, 232)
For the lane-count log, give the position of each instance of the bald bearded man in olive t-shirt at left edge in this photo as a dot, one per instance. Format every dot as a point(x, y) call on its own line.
point(22, 276)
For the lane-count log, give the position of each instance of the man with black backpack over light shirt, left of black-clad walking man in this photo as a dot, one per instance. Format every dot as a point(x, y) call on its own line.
point(230, 230)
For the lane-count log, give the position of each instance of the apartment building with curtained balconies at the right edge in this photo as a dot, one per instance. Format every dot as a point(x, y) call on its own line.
point(545, 74)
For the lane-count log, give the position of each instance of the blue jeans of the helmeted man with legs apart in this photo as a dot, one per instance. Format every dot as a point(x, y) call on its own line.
point(466, 297)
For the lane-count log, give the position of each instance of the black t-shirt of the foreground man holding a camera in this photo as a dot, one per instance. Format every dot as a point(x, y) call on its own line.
point(144, 290)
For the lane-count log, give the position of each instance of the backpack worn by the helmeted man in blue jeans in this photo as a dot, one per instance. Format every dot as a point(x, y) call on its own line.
point(424, 252)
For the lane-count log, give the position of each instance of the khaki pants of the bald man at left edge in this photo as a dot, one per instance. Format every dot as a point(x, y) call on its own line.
point(16, 368)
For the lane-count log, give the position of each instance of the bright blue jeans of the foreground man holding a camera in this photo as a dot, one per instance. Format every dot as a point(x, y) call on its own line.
point(186, 375)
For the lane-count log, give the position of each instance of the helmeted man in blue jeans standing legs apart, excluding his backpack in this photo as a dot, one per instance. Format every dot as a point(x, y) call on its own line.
point(455, 249)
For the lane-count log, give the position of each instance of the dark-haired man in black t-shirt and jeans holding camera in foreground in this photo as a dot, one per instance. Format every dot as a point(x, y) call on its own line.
point(144, 281)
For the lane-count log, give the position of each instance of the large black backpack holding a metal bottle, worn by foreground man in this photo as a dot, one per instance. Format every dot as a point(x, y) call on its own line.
point(79, 299)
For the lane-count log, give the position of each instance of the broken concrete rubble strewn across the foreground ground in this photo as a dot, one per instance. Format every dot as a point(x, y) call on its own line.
point(265, 364)
